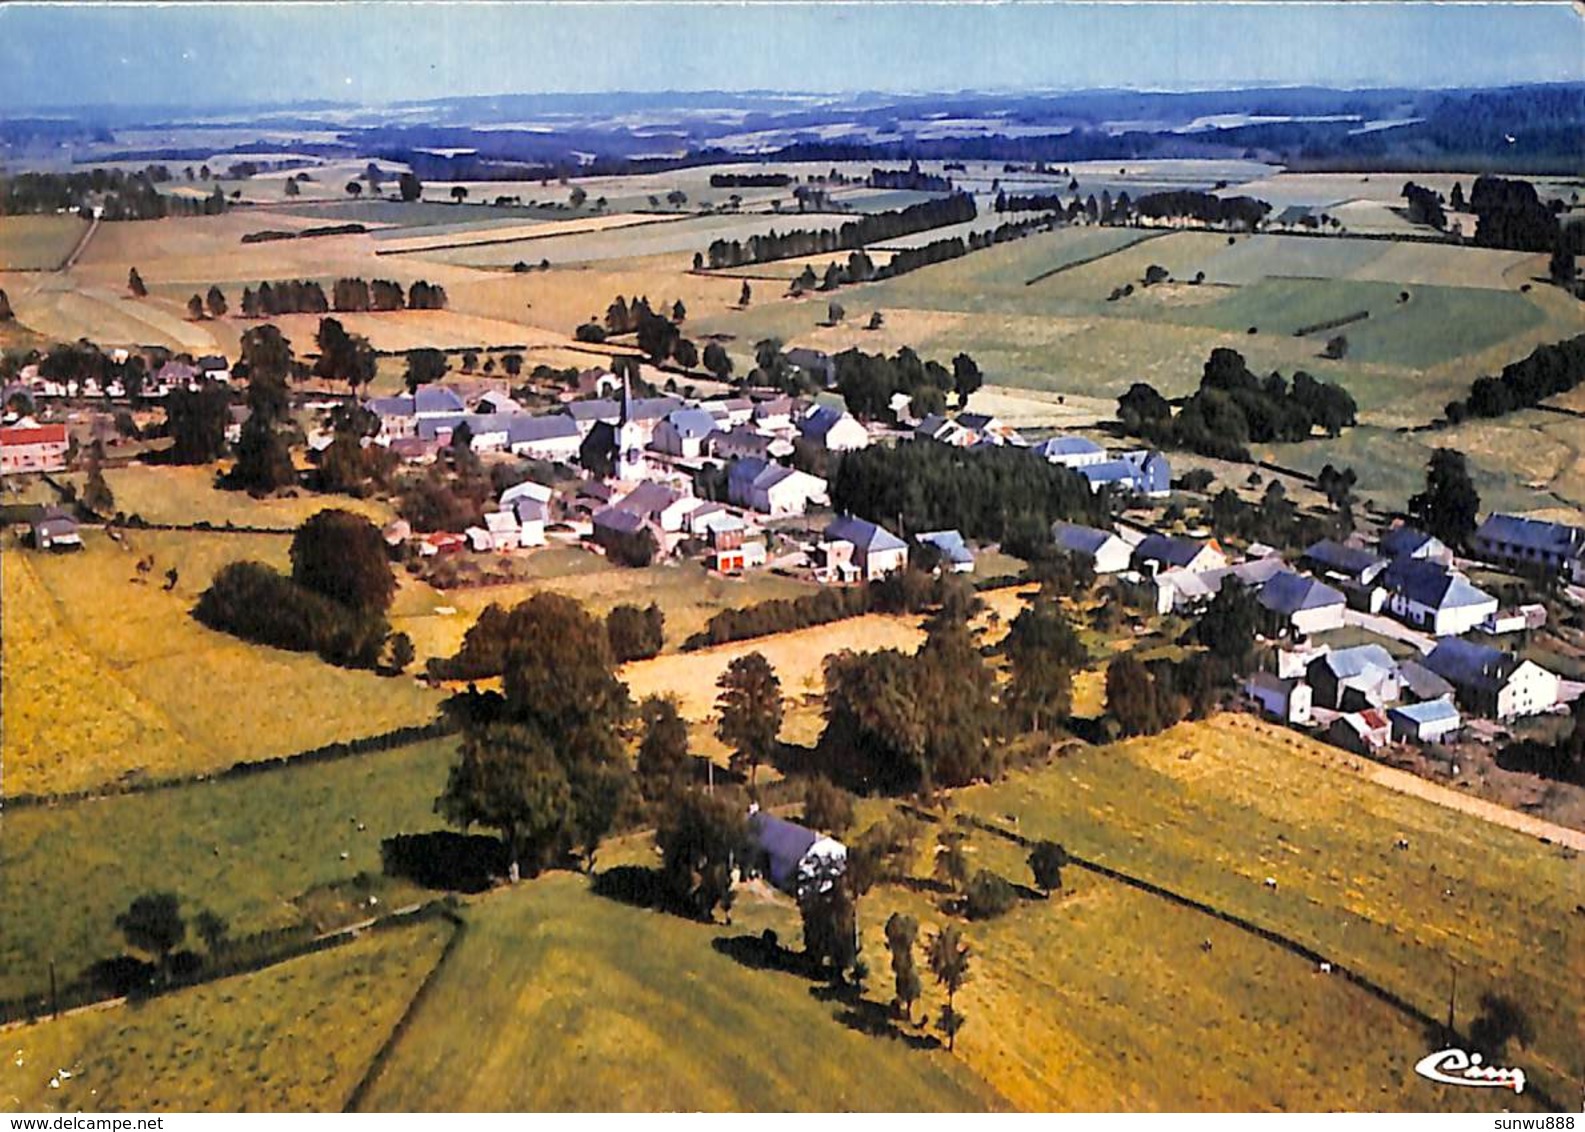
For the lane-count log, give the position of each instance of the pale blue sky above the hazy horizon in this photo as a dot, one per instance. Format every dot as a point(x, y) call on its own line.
point(380, 52)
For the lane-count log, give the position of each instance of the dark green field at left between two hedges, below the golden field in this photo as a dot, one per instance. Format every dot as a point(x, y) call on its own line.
point(248, 849)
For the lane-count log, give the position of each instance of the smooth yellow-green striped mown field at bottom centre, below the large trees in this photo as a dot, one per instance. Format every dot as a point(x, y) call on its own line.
point(559, 1000)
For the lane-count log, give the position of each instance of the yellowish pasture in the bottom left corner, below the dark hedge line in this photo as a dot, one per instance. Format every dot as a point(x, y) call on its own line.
point(294, 1038)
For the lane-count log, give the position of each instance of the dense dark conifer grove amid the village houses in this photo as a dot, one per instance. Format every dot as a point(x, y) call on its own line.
point(988, 494)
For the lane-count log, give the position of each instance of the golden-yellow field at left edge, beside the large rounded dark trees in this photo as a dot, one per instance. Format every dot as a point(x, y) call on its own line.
point(110, 678)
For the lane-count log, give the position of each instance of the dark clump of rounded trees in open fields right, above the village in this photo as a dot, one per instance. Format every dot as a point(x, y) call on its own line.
point(1234, 408)
